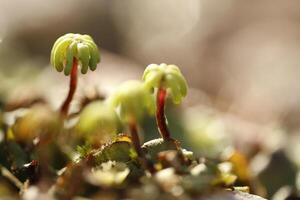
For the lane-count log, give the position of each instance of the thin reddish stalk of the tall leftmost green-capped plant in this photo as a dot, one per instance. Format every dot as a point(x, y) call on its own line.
point(73, 85)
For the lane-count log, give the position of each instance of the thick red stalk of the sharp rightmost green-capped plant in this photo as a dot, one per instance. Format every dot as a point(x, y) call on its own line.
point(160, 114)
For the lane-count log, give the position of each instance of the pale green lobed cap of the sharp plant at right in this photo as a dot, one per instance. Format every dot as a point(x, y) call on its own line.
point(168, 77)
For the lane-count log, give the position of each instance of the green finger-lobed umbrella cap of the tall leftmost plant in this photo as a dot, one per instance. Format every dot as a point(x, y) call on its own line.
point(69, 46)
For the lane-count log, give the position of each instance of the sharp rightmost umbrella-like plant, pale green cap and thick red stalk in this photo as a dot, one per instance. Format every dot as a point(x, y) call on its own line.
point(161, 80)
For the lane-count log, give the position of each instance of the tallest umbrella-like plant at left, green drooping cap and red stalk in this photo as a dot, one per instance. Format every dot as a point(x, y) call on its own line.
point(67, 53)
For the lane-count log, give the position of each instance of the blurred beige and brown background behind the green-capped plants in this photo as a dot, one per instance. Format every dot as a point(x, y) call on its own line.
point(241, 60)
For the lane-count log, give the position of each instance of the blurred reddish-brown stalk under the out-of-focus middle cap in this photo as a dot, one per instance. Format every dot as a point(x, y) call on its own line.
point(137, 145)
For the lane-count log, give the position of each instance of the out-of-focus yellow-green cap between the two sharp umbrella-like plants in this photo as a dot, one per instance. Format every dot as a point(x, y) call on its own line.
point(133, 100)
